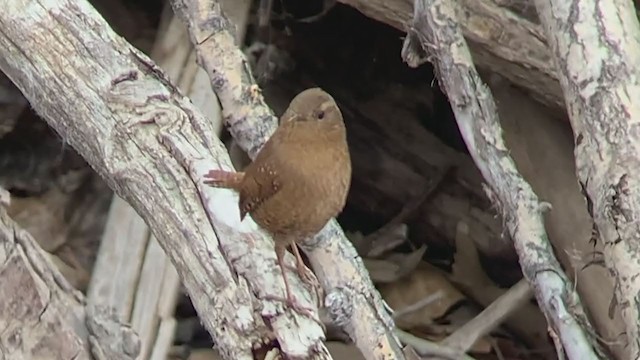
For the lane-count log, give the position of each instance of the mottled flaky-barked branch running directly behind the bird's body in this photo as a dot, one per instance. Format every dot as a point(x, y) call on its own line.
point(351, 297)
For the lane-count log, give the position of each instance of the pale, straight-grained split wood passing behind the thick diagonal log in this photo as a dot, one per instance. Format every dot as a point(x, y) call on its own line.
point(132, 274)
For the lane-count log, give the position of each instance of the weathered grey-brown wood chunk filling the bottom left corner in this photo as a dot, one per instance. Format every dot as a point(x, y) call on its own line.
point(42, 316)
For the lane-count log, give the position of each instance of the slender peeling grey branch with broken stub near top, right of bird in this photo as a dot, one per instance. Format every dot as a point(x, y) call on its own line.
point(435, 32)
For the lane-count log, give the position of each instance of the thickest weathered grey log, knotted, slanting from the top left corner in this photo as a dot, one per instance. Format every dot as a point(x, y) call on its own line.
point(152, 146)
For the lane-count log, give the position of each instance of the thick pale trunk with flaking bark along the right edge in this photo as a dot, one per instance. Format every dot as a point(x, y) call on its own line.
point(602, 100)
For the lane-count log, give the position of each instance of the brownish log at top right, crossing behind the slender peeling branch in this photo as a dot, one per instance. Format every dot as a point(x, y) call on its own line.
point(500, 40)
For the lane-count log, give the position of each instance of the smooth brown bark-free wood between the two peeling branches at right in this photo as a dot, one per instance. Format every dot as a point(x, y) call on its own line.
point(527, 129)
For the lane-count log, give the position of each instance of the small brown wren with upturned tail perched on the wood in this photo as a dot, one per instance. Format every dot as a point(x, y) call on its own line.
point(300, 178)
